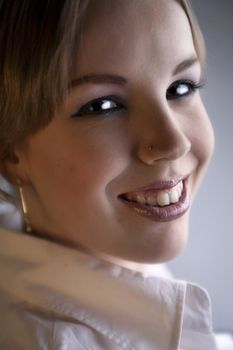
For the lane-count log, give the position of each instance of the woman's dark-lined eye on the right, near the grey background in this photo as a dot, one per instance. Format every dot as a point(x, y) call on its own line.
point(182, 88)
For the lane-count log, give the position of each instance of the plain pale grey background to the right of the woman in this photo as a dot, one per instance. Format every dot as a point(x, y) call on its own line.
point(208, 259)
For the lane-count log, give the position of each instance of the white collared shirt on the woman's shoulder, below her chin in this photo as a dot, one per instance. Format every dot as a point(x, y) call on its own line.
point(54, 297)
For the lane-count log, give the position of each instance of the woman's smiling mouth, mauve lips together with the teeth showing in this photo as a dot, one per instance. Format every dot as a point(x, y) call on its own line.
point(161, 201)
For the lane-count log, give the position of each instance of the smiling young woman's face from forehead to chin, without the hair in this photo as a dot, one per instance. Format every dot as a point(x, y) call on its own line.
point(107, 173)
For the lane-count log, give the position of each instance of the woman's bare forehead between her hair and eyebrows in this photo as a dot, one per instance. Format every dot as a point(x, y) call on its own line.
point(133, 32)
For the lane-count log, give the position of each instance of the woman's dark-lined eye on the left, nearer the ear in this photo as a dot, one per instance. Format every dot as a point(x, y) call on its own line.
point(100, 106)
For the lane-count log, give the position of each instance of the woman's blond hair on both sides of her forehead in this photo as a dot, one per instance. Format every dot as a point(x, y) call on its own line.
point(37, 41)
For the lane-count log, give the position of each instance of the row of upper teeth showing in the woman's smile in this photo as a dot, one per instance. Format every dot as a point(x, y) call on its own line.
point(162, 198)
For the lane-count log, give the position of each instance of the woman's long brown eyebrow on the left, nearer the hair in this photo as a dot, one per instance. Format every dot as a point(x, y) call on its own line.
point(98, 79)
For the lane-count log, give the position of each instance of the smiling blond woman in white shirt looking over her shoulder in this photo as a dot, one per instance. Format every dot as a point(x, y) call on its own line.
point(104, 134)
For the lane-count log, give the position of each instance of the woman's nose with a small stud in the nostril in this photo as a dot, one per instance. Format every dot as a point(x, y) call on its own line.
point(161, 135)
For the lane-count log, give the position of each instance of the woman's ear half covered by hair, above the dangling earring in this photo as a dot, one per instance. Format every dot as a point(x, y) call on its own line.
point(13, 167)
